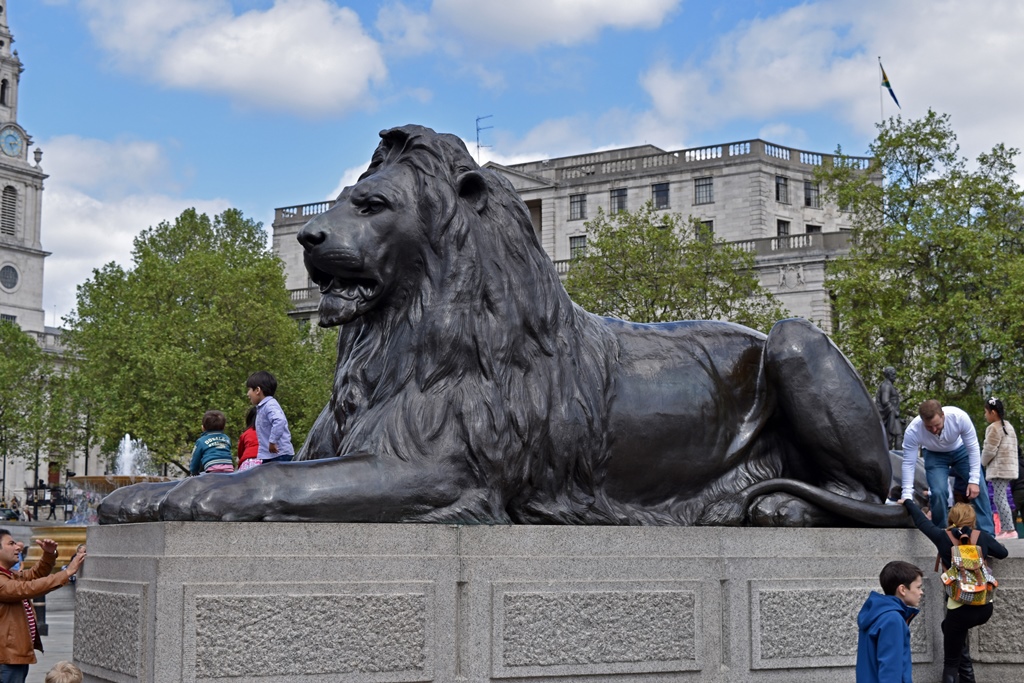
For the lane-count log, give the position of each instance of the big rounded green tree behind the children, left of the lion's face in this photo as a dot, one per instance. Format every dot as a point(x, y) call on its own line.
point(178, 334)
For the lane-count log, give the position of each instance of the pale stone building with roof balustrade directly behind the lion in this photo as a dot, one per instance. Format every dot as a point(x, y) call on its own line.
point(757, 195)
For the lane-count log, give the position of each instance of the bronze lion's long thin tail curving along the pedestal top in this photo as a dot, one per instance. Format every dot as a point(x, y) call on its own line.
point(733, 510)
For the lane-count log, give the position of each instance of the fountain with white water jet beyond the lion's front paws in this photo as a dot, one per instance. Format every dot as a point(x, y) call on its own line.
point(133, 465)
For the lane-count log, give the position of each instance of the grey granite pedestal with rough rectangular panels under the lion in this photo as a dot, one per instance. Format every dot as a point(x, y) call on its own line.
point(304, 604)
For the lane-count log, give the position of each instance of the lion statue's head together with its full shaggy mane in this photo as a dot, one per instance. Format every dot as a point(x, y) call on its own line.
point(457, 336)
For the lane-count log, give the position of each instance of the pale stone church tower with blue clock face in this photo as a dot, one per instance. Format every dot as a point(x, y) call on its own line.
point(21, 202)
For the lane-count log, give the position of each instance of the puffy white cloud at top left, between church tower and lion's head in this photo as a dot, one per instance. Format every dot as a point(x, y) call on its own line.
point(309, 57)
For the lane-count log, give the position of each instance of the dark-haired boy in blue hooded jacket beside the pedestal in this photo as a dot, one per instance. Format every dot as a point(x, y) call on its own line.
point(884, 623)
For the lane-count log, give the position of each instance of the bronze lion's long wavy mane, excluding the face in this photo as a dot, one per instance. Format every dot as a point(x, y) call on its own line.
point(487, 357)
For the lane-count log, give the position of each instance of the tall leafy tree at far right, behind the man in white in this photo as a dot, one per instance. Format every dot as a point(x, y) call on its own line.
point(934, 280)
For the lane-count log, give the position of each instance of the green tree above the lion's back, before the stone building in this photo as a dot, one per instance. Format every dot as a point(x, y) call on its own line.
point(650, 267)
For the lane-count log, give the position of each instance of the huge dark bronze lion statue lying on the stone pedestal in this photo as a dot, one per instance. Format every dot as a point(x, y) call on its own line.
point(471, 389)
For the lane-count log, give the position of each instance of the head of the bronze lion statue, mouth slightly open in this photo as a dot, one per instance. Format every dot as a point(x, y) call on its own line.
point(392, 230)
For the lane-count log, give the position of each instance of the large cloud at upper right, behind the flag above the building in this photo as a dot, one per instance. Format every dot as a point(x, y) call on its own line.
point(822, 60)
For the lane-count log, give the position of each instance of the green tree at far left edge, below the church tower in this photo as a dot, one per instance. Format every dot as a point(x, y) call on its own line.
point(20, 366)
